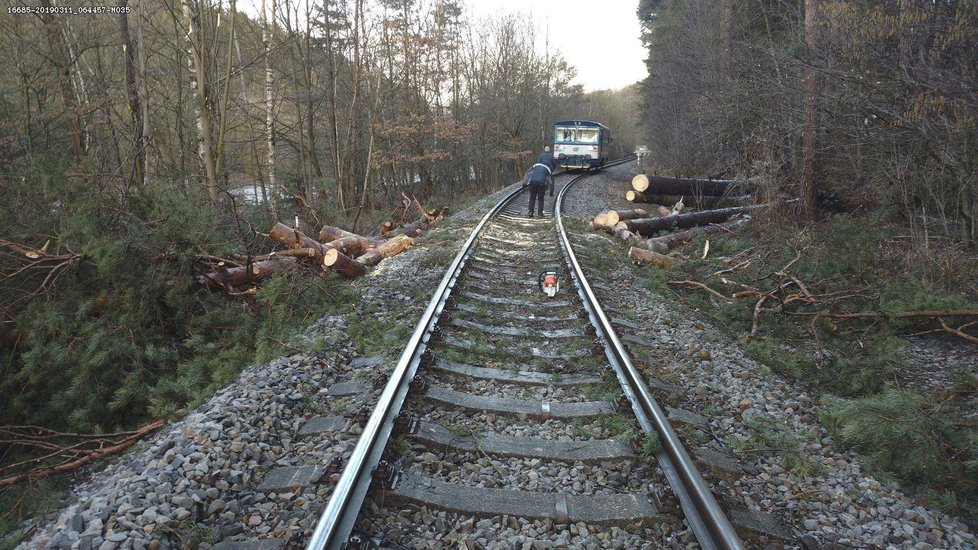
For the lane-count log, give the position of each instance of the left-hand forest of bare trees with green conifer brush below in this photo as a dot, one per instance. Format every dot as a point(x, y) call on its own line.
point(141, 145)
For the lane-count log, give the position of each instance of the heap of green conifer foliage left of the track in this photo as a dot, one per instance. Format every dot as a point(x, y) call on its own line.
point(126, 334)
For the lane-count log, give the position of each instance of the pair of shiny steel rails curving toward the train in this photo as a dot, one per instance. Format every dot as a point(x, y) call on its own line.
point(707, 521)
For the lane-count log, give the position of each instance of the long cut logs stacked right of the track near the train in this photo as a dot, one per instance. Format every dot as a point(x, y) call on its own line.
point(656, 191)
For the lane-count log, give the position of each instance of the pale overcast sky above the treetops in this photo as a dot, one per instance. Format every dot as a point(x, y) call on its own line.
point(618, 60)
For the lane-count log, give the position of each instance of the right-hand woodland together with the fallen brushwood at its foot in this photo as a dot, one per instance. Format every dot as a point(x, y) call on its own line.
point(867, 111)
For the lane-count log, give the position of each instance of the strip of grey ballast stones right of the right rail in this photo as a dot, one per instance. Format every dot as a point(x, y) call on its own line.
point(838, 503)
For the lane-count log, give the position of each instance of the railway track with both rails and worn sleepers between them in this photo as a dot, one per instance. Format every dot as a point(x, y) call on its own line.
point(509, 411)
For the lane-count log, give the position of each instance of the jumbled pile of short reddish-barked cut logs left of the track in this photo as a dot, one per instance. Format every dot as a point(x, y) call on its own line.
point(346, 253)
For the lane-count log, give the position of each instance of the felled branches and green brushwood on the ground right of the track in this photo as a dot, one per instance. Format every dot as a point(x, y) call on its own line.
point(835, 304)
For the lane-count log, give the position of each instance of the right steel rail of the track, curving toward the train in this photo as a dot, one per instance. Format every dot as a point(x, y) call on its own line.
point(708, 522)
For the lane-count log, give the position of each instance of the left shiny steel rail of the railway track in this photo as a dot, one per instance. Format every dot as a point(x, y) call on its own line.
point(340, 515)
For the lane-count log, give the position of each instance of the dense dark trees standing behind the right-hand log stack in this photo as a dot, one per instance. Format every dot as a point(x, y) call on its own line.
point(865, 103)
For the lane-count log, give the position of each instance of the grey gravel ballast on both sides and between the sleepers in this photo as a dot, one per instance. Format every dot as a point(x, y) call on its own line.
point(197, 481)
